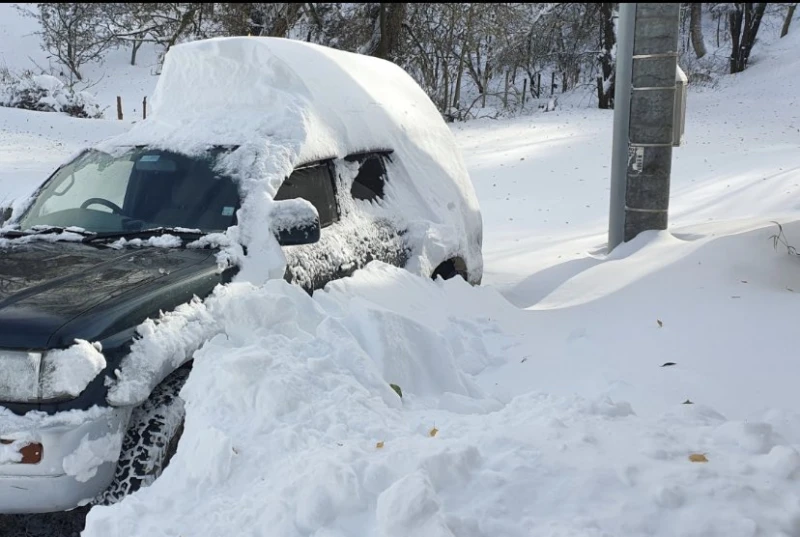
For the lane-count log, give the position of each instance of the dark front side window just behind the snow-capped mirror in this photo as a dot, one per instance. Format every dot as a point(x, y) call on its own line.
point(315, 184)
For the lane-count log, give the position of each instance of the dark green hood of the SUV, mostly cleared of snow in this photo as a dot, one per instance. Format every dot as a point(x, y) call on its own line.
point(46, 286)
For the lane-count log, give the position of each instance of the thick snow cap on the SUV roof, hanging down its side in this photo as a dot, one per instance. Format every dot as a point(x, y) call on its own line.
point(286, 103)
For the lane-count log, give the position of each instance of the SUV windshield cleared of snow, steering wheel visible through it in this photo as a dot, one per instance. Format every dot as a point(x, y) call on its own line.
point(139, 189)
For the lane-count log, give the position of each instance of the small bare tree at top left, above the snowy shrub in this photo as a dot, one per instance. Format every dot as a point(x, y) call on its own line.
point(72, 34)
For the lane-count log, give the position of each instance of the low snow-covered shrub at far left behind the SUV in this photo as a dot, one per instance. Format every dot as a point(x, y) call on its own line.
point(45, 93)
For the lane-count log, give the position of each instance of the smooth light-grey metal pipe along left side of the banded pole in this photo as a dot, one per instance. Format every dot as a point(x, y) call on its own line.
point(622, 114)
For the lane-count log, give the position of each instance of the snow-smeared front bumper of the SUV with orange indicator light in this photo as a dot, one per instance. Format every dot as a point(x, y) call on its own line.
point(79, 456)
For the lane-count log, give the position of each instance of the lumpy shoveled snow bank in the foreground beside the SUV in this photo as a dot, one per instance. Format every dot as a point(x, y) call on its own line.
point(292, 426)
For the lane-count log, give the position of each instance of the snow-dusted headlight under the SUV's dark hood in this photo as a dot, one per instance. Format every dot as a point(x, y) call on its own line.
point(33, 377)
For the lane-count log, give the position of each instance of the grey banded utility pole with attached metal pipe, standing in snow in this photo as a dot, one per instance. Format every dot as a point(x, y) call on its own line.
point(644, 116)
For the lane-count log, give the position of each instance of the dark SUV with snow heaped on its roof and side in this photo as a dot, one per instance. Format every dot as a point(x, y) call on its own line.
point(264, 158)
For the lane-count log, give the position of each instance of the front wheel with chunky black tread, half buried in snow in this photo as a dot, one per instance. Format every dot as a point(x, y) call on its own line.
point(151, 440)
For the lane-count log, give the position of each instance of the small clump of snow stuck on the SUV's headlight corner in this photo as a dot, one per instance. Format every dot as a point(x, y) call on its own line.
point(69, 371)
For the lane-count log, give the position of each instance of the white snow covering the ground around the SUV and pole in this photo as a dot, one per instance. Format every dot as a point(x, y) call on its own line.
point(540, 404)
